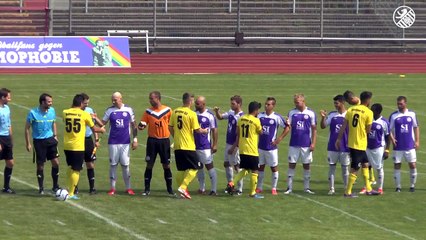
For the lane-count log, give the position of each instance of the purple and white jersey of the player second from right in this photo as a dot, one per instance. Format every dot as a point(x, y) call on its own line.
point(379, 130)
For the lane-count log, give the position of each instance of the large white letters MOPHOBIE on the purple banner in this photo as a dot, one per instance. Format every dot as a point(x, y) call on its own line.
point(44, 57)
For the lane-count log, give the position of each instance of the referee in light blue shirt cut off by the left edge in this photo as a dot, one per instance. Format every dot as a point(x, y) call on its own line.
point(6, 145)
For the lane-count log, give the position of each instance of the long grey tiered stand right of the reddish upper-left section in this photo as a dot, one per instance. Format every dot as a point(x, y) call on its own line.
point(268, 25)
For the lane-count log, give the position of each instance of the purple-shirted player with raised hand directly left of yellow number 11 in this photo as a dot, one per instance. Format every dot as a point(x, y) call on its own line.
point(232, 160)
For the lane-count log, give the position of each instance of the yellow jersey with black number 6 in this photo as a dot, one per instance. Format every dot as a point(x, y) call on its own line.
point(358, 117)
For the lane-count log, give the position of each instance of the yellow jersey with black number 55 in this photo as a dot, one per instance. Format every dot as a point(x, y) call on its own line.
point(75, 121)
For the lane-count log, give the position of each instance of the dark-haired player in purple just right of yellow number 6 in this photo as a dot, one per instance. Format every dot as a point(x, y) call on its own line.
point(378, 144)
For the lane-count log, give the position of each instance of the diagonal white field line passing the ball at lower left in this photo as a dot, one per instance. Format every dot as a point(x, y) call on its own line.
point(84, 209)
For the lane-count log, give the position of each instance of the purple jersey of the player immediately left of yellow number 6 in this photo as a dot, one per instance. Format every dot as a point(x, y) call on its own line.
point(335, 121)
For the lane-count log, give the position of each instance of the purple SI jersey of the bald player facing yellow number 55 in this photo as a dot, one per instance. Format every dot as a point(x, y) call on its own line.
point(120, 121)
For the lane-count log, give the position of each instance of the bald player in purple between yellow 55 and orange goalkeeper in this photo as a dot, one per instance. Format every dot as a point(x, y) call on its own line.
point(122, 122)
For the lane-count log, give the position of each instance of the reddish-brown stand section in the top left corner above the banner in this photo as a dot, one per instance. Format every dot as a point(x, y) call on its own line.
point(31, 19)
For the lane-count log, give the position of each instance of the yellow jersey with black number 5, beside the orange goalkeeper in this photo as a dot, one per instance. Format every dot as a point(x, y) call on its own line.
point(184, 121)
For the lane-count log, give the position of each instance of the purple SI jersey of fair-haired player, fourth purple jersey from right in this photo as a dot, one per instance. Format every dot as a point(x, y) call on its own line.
point(301, 123)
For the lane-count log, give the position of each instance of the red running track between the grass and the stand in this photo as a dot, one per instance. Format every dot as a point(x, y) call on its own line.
point(255, 63)
